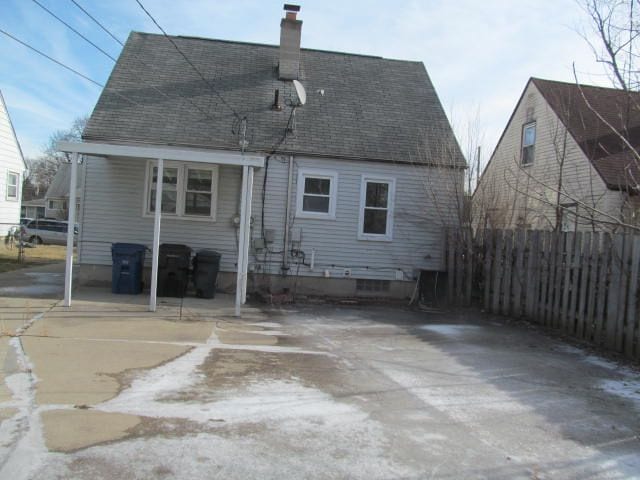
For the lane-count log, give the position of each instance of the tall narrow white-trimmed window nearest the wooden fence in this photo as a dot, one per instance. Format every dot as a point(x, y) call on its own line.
point(376, 208)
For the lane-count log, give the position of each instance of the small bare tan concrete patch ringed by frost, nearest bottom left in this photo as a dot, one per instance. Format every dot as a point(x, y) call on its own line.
point(70, 430)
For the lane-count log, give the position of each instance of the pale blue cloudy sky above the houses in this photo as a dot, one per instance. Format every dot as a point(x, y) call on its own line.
point(479, 54)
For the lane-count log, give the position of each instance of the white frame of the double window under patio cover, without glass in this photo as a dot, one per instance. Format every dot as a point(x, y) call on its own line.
point(181, 189)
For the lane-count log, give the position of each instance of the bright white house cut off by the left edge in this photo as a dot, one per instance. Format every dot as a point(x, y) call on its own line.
point(12, 171)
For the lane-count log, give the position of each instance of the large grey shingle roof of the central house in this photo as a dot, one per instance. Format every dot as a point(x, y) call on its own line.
point(358, 107)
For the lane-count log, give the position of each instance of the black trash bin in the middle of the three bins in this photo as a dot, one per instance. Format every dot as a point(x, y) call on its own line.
point(173, 270)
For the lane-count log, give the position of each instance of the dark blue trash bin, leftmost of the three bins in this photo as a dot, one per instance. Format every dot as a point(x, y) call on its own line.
point(128, 264)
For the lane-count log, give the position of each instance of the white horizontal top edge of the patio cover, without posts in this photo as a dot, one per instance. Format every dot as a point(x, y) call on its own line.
point(164, 152)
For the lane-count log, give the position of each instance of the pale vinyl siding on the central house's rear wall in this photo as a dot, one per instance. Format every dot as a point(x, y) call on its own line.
point(420, 214)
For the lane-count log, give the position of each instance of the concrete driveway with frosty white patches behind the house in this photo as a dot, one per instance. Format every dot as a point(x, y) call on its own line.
point(108, 390)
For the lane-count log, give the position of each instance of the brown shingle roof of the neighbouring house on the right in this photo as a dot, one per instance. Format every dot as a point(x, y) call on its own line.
point(576, 106)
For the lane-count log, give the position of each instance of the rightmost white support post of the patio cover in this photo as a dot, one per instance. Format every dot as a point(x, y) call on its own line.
point(244, 237)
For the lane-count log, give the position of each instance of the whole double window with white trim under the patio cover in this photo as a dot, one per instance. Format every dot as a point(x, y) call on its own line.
point(188, 190)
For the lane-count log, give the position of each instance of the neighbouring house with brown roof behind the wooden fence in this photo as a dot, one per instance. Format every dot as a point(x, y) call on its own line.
point(567, 160)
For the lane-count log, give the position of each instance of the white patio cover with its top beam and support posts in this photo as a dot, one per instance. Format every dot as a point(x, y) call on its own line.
point(162, 153)
